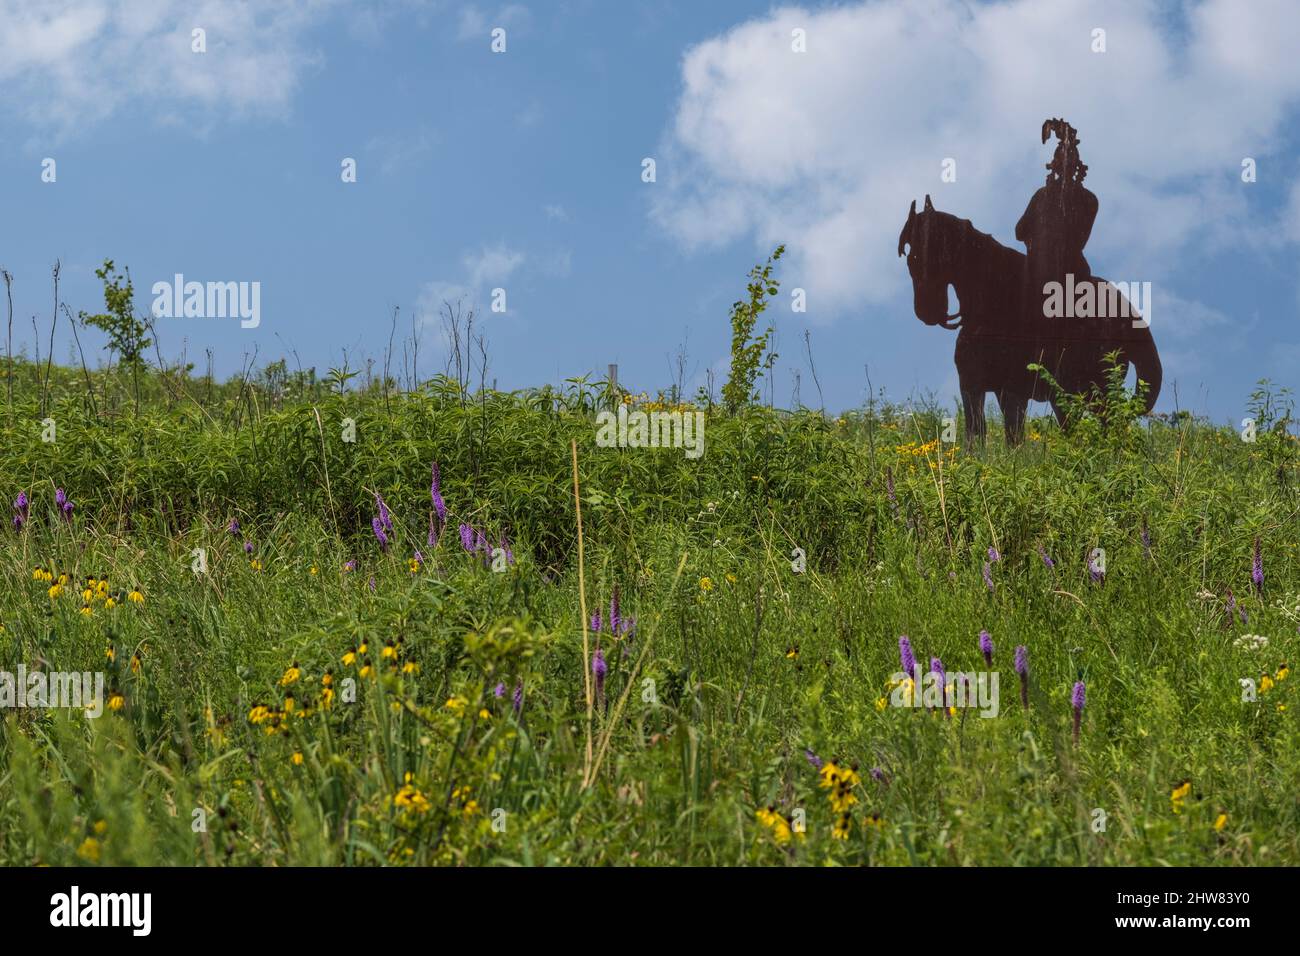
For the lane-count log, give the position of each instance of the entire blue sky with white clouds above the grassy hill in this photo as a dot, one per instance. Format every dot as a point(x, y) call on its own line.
point(523, 171)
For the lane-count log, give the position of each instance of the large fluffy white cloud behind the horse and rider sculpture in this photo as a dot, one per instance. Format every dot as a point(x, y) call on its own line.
point(824, 150)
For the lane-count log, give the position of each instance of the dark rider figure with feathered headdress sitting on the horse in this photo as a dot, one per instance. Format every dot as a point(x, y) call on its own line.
point(1059, 219)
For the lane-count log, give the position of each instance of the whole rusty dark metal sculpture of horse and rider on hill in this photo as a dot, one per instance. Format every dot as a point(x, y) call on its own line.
point(1004, 326)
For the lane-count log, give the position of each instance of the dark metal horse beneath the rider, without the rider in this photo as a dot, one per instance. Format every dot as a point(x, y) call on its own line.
point(1004, 328)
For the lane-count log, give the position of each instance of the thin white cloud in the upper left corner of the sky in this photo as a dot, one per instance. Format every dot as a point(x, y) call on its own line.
point(67, 63)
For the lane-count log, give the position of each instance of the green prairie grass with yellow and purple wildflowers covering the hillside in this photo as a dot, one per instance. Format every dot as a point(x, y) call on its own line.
point(709, 711)
